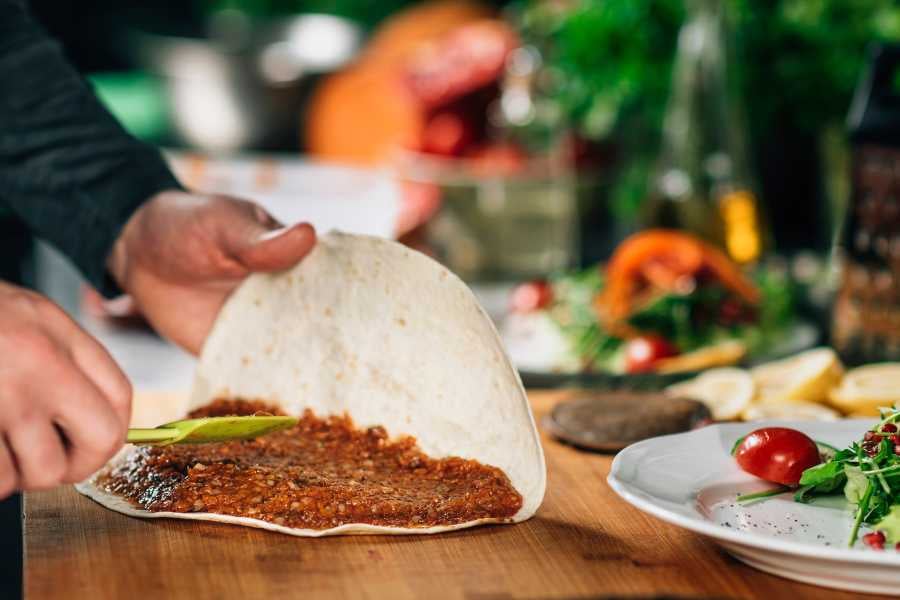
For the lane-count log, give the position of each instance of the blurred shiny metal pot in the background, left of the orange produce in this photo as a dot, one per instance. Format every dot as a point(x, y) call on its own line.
point(245, 85)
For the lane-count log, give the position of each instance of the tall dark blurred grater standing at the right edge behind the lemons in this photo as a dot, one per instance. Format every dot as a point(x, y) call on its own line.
point(865, 325)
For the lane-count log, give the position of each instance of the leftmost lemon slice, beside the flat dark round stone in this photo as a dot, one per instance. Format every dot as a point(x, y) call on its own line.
point(726, 391)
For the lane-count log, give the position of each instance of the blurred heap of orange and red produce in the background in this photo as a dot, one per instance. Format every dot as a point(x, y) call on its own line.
point(425, 84)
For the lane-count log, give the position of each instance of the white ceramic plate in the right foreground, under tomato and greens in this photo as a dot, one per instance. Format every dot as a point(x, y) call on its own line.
point(690, 480)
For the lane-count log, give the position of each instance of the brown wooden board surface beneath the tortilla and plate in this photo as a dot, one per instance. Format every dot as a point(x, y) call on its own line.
point(584, 542)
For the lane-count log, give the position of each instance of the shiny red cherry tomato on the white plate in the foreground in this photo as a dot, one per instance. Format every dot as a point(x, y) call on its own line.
point(777, 454)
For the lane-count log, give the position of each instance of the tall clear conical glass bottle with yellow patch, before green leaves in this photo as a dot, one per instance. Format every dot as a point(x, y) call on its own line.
point(702, 181)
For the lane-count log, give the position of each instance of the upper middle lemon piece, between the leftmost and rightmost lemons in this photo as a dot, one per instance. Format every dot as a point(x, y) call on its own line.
point(805, 377)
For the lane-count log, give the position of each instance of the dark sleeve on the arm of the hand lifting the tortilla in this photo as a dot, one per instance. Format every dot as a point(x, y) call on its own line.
point(67, 168)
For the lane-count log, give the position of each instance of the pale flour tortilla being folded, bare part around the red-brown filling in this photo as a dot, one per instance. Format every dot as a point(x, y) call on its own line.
point(368, 327)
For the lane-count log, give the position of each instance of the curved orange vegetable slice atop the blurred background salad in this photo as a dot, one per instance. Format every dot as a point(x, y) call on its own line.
point(663, 260)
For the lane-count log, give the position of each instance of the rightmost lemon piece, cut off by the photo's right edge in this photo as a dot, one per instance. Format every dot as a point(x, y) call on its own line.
point(866, 389)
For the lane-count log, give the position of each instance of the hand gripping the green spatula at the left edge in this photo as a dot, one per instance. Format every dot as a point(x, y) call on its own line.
point(64, 403)
